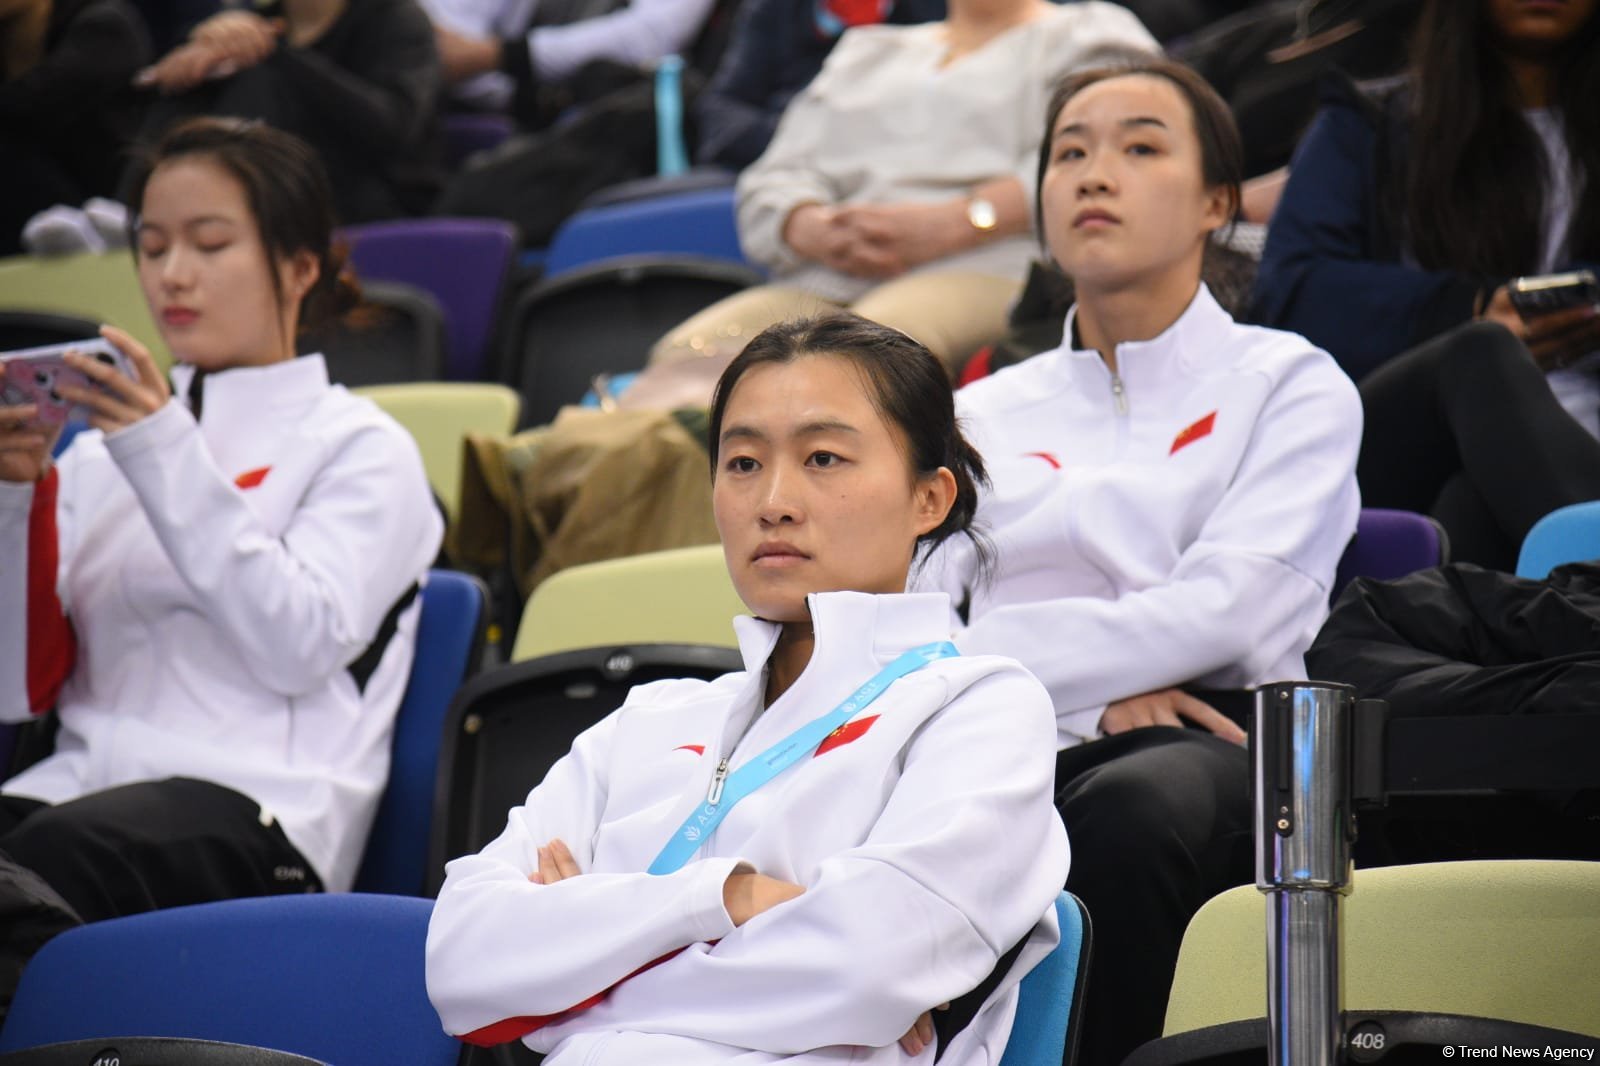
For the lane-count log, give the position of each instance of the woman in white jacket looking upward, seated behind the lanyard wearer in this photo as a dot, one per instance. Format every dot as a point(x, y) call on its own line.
point(1172, 495)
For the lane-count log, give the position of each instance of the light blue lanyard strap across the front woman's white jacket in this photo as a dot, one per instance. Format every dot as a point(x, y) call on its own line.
point(727, 791)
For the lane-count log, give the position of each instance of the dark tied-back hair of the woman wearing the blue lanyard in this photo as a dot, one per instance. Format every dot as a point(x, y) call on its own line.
point(908, 387)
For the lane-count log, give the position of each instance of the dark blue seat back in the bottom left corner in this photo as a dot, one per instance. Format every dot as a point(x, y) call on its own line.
point(334, 977)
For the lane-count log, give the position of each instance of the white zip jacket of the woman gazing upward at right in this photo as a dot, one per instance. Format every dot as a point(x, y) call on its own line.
point(1180, 523)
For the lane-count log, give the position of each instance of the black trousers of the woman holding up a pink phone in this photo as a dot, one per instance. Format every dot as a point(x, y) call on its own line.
point(151, 846)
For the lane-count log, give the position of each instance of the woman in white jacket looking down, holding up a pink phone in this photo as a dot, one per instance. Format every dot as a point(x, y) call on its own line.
point(215, 588)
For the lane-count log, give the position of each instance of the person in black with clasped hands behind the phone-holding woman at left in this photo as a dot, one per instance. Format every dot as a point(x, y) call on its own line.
point(356, 79)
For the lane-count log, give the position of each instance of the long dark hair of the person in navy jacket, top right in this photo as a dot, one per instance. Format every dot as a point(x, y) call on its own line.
point(1474, 186)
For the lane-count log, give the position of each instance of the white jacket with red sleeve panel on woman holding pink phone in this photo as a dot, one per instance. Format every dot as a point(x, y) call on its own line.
point(222, 579)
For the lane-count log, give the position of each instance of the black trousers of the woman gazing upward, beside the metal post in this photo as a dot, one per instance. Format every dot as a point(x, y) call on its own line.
point(1159, 822)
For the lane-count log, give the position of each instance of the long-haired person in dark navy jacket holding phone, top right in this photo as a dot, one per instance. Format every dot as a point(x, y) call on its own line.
point(1409, 210)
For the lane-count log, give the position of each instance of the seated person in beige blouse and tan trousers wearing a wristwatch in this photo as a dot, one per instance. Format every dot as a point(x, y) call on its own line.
point(898, 182)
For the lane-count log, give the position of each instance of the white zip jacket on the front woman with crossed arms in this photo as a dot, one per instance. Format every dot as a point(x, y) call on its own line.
point(922, 832)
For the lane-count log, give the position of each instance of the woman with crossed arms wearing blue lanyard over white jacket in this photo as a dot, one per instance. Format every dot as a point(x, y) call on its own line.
point(889, 872)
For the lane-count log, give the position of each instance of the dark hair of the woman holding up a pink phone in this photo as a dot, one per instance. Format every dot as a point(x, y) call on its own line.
point(287, 191)
